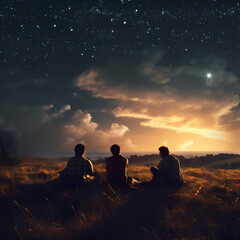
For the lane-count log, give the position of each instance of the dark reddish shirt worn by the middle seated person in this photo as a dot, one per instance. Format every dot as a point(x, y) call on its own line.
point(116, 170)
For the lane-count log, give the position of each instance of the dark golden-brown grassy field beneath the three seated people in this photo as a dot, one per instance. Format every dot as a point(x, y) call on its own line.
point(33, 205)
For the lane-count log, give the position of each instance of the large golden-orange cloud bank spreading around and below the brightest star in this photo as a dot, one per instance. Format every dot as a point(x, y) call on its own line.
point(180, 99)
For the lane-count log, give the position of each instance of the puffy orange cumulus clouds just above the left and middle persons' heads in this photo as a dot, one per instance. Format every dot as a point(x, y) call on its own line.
point(83, 129)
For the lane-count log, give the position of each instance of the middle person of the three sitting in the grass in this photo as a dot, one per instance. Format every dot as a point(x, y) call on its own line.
point(117, 169)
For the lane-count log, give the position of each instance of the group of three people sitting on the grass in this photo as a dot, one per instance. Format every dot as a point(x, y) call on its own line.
point(79, 169)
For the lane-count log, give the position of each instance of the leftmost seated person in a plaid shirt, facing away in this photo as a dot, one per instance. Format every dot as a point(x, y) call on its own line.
point(79, 169)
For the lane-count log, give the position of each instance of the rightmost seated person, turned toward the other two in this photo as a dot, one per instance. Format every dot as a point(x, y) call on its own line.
point(168, 172)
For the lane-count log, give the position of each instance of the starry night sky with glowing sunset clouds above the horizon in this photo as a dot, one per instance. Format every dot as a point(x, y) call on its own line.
point(137, 73)
